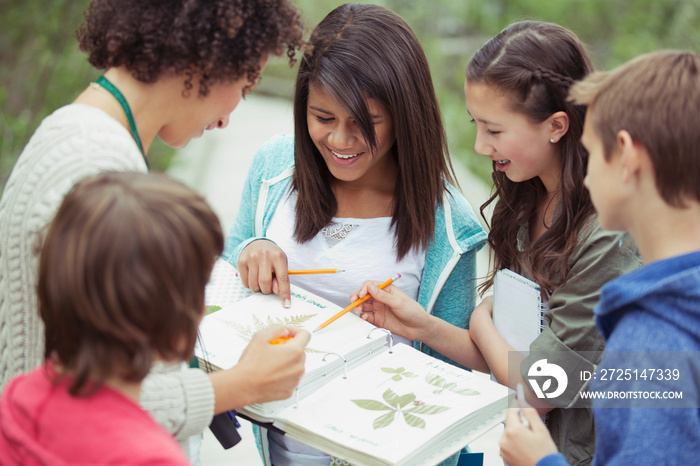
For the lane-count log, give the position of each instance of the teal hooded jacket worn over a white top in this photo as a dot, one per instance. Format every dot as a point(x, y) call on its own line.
point(448, 284)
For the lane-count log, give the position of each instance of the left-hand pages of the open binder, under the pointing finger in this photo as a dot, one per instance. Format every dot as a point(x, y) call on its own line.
point(225, 333)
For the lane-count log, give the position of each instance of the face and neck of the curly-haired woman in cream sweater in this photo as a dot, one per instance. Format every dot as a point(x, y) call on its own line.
point(198, 114)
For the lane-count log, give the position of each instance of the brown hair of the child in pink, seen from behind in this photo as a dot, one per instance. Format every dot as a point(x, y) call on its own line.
point(122, 275)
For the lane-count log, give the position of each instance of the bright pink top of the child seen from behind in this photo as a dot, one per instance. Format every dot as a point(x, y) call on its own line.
point(41, 424)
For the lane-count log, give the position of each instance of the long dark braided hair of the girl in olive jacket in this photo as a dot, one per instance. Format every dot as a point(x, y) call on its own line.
point(535, 63)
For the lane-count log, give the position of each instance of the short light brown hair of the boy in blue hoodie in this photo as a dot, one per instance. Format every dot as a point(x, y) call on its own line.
point(655, 98)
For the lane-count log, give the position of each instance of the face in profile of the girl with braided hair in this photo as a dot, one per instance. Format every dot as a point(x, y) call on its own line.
point(520, 148)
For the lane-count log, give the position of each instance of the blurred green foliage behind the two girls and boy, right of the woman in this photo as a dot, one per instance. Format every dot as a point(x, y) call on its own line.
point(452, 30)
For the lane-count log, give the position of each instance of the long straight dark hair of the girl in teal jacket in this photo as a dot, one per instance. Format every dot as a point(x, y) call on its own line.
point(361, 52)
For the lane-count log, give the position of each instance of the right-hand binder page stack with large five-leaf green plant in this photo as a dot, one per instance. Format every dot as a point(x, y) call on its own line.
point(402, 407)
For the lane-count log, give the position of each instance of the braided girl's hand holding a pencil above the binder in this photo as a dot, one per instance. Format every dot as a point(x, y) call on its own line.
point(393, 310)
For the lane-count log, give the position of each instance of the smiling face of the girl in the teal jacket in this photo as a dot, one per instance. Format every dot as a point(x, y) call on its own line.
point(340, 142)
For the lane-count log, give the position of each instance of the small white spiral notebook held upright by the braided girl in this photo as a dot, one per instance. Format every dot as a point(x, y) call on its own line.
point(518, 309)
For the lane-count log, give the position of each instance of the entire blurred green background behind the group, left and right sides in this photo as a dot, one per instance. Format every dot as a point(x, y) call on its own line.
point(42, 69)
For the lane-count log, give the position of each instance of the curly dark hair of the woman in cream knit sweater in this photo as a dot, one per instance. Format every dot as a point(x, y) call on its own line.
point(208, 40)
